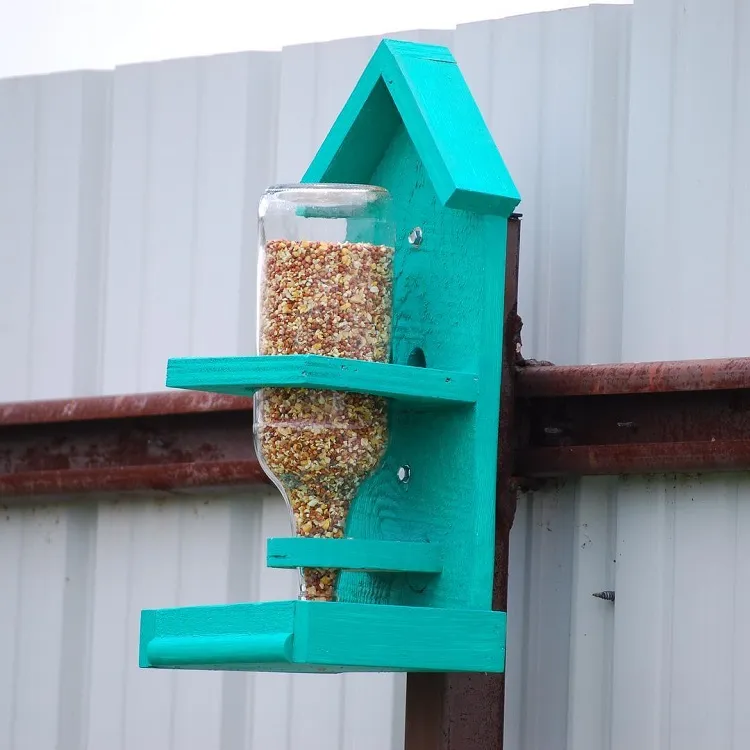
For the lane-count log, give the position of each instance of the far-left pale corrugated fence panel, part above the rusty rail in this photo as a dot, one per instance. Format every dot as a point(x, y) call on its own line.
point(52, 154)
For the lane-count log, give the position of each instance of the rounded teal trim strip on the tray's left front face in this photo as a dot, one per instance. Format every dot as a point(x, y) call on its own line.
point(269, 648)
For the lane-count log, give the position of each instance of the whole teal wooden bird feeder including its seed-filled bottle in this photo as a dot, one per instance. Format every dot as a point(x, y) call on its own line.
point(377, 391)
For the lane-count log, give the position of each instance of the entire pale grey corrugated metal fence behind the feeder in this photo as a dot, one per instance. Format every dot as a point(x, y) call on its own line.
point(127, 235)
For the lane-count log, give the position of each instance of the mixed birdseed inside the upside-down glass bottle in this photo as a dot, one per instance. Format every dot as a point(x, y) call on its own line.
point(332, 299)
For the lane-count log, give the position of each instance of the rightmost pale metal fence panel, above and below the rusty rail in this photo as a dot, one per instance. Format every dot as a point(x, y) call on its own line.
point(683, 553)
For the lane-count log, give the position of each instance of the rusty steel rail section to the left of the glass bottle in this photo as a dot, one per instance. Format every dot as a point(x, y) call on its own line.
point(160, 441)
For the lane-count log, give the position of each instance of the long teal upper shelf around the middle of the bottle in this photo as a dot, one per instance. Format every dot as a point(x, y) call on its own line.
point(242, 376)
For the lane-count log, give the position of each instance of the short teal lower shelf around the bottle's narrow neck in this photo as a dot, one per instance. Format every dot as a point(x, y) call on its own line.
point(367, 555)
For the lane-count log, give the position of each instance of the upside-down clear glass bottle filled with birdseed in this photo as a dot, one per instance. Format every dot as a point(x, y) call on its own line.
point(325, 280)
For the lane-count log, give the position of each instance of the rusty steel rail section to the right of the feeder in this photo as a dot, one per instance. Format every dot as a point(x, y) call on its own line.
point(641, 418)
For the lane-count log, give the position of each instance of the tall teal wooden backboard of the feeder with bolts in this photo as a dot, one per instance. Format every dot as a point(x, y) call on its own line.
point(448, 298)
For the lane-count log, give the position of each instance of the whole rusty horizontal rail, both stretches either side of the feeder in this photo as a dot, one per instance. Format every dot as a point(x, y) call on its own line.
point(569, 421)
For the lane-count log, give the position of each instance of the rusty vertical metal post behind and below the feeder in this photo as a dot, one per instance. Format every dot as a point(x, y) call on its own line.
point(465, 711)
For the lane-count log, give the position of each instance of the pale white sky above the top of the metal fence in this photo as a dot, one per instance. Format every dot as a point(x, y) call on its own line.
point(41, 36)
